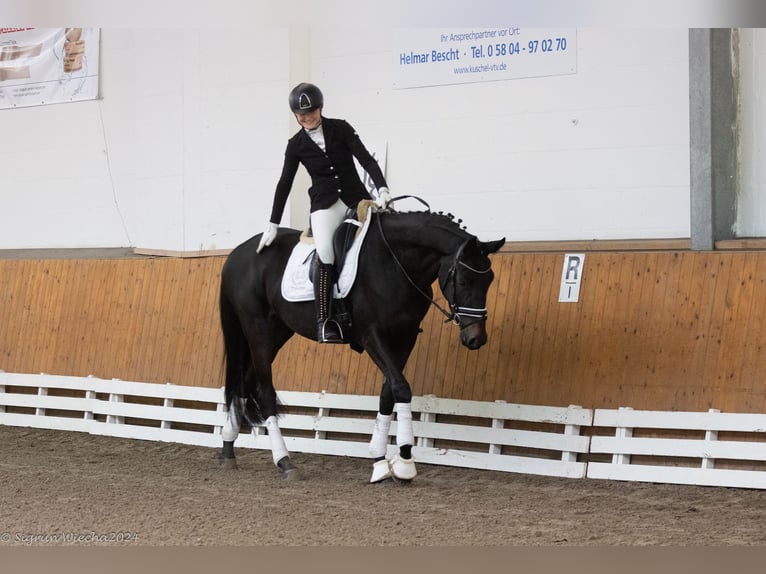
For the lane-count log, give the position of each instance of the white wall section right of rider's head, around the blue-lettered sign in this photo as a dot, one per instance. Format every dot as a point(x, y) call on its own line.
point(603, 154)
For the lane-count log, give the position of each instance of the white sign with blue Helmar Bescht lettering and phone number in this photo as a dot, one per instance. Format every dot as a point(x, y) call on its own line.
point(433, 57)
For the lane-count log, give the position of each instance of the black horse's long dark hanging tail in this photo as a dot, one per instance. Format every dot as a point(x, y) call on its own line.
point(240, 379)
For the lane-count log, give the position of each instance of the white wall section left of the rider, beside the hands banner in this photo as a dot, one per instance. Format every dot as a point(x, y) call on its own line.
point(181, 152)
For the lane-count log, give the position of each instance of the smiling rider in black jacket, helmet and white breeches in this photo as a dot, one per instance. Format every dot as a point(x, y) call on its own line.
point(326, 148)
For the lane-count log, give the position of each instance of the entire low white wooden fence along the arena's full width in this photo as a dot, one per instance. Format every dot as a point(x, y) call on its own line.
point(567, 442)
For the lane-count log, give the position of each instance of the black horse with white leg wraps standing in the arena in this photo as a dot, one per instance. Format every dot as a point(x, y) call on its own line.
point(402, 255)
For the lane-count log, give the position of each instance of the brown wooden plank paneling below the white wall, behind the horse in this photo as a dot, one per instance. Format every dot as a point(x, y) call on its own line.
point(659, 330)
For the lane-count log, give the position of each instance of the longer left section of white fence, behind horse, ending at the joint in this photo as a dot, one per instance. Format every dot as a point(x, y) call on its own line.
point(478, 435)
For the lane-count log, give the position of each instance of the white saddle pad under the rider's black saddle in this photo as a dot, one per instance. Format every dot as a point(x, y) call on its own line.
point(296, 285)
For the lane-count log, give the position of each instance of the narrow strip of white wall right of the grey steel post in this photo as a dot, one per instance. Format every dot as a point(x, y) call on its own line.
point(751, 209)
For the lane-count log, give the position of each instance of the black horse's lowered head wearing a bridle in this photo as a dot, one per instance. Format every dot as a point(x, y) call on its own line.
point(464, 279)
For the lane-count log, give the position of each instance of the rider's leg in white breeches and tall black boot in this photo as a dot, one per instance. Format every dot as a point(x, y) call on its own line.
point(323, 225)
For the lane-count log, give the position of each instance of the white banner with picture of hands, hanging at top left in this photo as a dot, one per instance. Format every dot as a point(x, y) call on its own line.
point(40, 66)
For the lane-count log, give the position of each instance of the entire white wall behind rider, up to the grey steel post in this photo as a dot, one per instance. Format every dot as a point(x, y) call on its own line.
point(185, 147)
